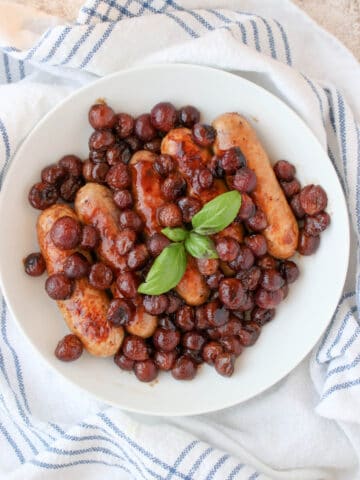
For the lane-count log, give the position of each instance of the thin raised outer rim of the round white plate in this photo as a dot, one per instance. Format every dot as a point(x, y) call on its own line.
point(89, 86)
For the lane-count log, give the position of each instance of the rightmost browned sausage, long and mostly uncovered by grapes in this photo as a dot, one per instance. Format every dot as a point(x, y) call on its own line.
point(233, 130)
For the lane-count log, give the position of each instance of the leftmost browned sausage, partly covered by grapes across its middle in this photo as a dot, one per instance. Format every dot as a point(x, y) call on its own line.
point(85, 312)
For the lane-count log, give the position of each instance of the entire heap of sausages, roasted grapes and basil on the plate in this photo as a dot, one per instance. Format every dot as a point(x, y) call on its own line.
point(171, 244)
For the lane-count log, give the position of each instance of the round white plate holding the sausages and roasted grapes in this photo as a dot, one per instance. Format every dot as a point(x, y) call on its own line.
point(299, 321)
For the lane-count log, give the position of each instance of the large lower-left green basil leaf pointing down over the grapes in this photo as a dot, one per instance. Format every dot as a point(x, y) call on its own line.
point(166, 271)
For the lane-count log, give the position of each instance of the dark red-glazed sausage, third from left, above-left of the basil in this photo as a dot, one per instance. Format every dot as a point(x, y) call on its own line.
point(146, 189)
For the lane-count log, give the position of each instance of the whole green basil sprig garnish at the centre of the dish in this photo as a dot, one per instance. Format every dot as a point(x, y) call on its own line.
point(169, 267)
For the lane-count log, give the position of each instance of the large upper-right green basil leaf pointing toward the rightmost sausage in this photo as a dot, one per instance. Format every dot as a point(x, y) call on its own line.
point(217, 214)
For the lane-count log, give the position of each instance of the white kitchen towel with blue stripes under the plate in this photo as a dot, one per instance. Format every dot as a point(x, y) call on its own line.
point(305, 427)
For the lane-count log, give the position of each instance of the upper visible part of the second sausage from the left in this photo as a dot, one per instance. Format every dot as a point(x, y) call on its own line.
point(95, 206)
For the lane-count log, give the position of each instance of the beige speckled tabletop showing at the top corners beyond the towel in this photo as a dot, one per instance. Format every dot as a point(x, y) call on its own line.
point(340, 17)
